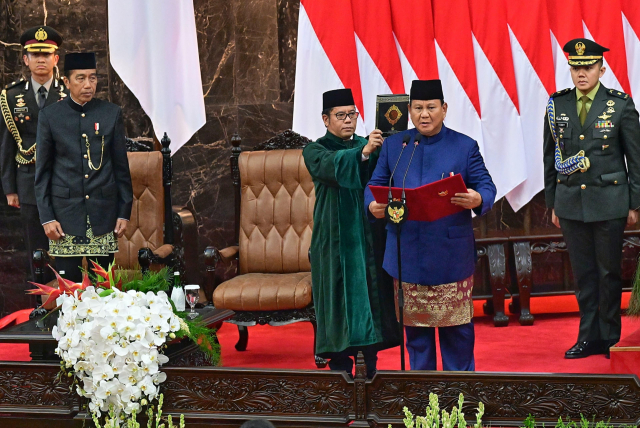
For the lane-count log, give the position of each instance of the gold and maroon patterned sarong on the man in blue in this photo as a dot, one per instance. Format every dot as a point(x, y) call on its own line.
point(436, 305)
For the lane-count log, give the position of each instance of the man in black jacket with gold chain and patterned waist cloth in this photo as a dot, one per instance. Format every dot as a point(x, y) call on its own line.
point(83, 186)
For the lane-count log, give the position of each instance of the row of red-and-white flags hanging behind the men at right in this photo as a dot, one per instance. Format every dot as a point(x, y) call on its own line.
point(498, 61)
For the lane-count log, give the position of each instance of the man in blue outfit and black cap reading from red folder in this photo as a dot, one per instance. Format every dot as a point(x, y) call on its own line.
point(438, 258)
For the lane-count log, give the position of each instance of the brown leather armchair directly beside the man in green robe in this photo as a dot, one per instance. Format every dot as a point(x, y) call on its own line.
point(274, 197)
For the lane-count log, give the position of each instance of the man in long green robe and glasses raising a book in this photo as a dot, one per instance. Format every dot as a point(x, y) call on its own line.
point(353, 310)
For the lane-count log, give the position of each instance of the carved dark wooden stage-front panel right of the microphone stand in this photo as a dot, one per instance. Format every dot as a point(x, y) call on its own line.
point(508, 399)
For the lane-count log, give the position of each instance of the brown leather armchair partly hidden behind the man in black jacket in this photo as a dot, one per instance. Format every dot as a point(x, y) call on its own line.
point(157, 233)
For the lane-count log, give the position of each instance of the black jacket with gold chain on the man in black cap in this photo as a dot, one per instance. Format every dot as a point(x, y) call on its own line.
point(67, 190)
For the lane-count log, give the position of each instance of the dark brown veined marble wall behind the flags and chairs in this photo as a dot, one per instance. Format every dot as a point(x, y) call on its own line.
point(247, 57)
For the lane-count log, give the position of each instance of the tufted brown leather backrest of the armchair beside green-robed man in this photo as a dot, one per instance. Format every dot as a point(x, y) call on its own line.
point(276, 217)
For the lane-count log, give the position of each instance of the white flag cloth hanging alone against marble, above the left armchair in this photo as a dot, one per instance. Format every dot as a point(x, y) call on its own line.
point(153, 47)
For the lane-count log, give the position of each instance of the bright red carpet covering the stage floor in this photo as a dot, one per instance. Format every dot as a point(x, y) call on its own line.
point(539, 348)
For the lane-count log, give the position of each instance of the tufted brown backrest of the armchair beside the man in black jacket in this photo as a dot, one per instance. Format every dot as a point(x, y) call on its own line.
point(145, 228)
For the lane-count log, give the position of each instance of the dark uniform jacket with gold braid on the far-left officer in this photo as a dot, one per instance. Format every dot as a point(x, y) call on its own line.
point(20, 111)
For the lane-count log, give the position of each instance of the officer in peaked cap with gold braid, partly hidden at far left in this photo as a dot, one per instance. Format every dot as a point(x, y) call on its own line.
point(20, 103)
